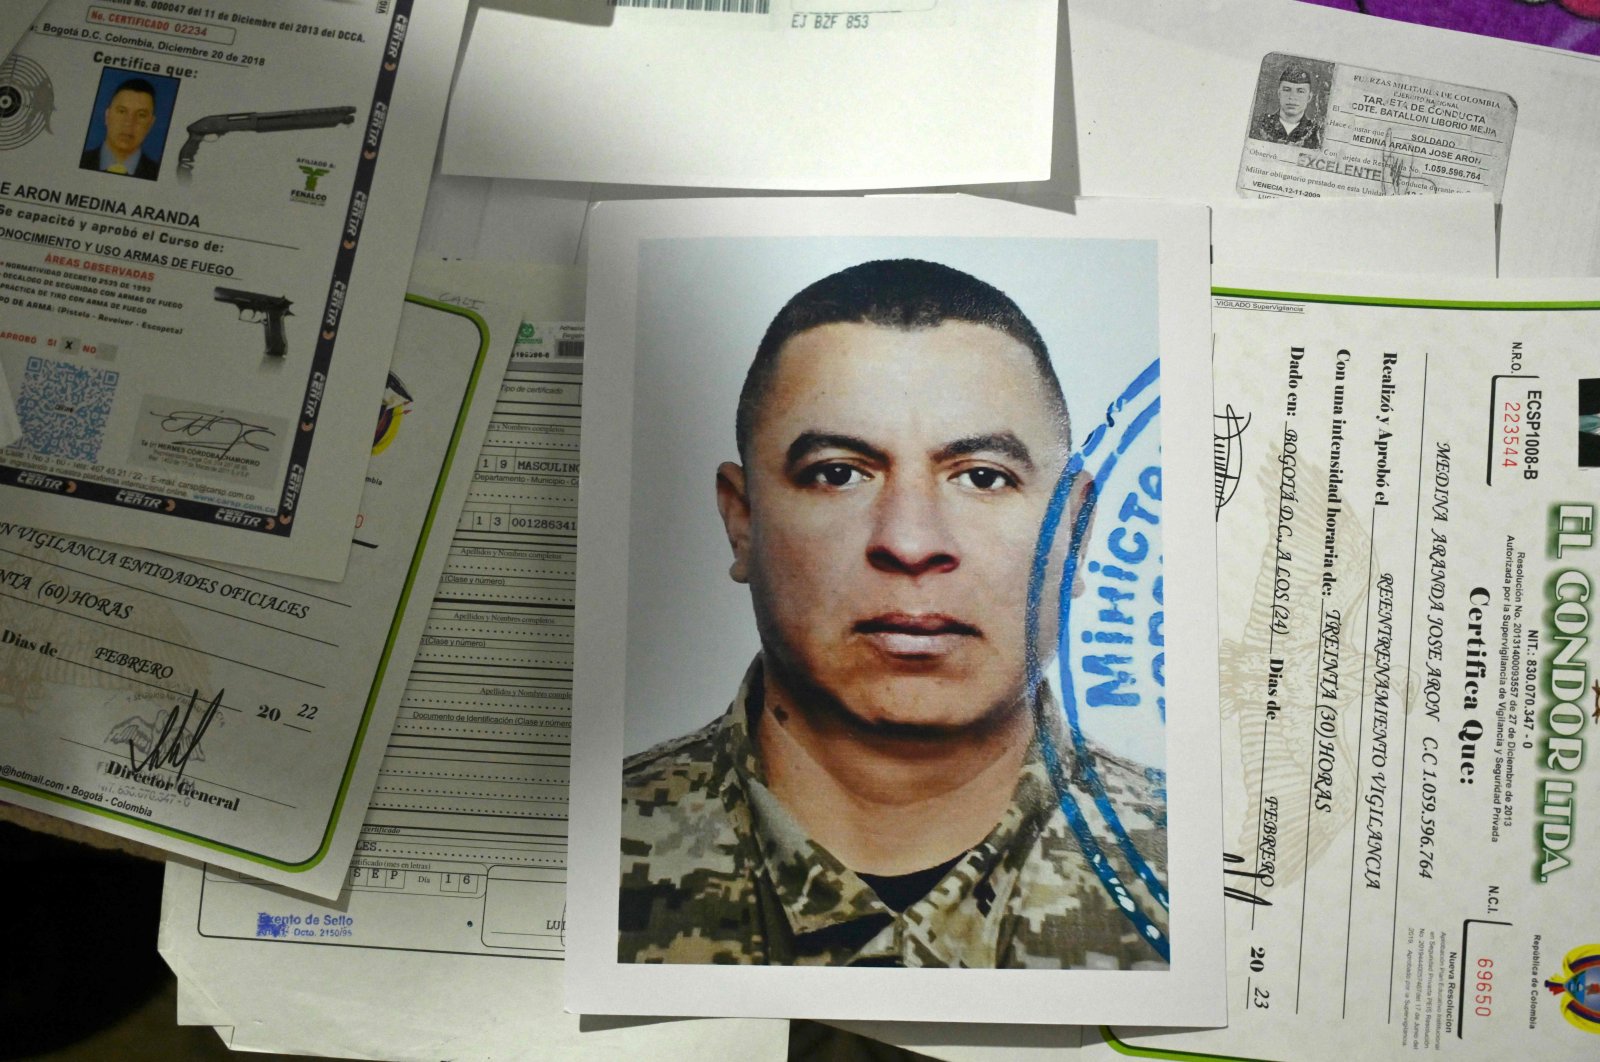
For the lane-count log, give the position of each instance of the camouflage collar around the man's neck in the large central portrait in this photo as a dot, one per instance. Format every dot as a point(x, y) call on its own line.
point(831, 911)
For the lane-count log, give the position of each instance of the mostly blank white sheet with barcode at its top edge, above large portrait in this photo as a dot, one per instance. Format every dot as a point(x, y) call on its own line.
point(788, 95)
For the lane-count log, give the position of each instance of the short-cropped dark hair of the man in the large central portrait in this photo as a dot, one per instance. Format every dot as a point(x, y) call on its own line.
point(902, 293)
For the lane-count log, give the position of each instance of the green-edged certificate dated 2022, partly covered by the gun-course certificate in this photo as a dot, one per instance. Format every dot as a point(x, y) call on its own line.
point(230, 714)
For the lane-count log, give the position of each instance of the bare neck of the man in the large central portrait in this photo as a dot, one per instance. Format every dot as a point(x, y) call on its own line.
point(889, 804)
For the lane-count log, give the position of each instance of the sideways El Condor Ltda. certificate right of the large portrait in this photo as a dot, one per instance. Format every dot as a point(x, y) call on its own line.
point(1407, 524)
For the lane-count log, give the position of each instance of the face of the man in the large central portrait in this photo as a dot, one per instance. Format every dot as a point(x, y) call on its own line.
point(889, 516)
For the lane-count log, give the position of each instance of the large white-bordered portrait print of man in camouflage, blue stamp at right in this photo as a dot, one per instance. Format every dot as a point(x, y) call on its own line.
point(889, 673)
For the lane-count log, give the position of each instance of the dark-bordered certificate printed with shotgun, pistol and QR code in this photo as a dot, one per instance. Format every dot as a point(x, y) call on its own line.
point(207, 218)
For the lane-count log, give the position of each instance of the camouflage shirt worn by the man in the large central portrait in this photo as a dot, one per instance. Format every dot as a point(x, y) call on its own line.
point(716, 871)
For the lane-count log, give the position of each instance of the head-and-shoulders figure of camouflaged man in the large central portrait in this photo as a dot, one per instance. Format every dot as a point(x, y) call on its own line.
point(892, 785)
